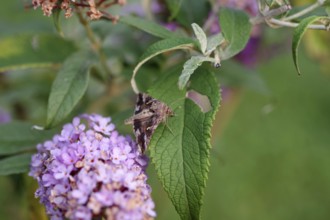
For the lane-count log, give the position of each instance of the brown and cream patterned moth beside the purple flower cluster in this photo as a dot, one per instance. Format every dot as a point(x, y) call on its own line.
point(149, 113)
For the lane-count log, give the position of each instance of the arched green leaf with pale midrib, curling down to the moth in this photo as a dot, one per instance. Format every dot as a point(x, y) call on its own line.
point(162, 47)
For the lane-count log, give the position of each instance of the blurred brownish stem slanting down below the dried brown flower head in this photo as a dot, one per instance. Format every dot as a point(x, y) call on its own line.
point(95, 43)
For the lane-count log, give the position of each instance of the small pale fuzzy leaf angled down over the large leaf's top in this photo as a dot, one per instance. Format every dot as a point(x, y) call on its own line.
point(189, 68)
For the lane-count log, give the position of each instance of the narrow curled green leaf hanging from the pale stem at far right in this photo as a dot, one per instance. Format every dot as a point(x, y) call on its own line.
point(297, 36)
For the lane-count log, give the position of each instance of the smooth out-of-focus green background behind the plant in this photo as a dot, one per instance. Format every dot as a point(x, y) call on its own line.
point(271, 160)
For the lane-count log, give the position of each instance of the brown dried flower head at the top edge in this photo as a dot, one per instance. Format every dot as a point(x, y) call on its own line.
point(95, 9)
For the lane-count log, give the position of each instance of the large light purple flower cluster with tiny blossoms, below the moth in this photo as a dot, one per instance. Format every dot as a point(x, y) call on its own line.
point(90, 171)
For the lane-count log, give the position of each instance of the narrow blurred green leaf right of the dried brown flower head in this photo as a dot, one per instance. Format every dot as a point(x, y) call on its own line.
point(148, 26)
